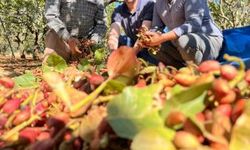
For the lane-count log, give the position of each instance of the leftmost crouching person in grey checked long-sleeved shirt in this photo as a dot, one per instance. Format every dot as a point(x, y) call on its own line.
point(71, 20)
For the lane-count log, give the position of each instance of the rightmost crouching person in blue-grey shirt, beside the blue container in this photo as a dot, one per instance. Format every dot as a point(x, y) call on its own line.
point(192, 34)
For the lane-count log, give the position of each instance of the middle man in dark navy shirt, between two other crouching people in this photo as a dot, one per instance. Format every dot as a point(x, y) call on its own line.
point(129, 17)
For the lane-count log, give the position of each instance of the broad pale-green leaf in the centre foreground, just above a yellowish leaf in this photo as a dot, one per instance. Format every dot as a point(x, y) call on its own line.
point(132, 111)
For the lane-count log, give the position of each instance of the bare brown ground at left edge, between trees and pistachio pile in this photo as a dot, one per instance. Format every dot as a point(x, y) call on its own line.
point(12, 67)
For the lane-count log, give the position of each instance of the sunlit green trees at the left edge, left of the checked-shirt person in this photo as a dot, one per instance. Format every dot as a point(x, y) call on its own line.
point(22, 24)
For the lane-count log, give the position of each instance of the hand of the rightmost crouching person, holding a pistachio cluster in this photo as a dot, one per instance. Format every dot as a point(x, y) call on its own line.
point(156, 39)
